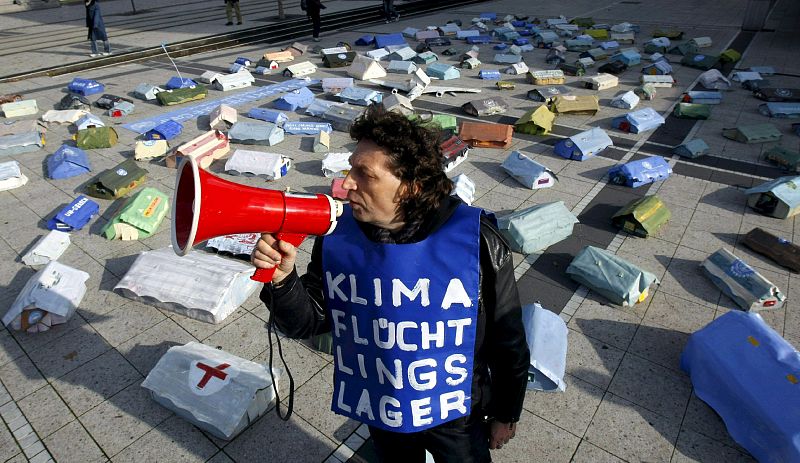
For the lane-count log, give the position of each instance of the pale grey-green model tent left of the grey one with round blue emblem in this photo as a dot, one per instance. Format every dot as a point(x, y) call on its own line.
point(615, 278)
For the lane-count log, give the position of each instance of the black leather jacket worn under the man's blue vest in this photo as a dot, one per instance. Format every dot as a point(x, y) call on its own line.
point(501, 351)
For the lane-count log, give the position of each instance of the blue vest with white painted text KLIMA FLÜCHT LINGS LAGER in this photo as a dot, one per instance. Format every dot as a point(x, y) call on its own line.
point(404, 320)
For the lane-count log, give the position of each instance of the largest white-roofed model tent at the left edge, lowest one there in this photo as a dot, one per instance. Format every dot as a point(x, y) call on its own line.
point(50, 297)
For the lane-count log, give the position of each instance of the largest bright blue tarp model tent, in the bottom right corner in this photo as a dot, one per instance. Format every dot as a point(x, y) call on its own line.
point(750, 376)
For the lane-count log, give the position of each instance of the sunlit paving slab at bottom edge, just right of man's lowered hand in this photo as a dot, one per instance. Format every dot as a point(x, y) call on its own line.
point(537, 440)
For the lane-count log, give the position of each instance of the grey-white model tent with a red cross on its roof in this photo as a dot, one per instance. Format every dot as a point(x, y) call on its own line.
point(218, 392)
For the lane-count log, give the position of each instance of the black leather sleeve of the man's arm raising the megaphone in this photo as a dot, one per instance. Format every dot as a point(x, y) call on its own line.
point(298, 306)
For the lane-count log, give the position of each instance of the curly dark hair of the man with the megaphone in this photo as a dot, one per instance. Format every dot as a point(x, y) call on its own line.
point(414, 157)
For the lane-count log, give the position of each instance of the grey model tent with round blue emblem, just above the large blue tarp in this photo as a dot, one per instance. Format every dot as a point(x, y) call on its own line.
point(740, 282)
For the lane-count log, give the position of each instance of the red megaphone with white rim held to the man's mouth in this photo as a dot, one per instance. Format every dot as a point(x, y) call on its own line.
point(205, 206)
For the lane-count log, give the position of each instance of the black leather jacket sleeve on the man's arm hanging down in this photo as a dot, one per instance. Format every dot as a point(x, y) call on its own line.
point(506, 347)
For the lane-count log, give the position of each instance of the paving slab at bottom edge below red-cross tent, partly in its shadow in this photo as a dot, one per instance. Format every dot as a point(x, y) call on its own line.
point(173, 440)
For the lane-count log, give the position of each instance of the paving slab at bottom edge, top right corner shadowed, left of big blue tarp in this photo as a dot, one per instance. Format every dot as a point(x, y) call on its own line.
point(631, 432)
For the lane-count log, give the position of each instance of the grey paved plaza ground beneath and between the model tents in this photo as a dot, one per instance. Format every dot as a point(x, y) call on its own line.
point(73, 393)
